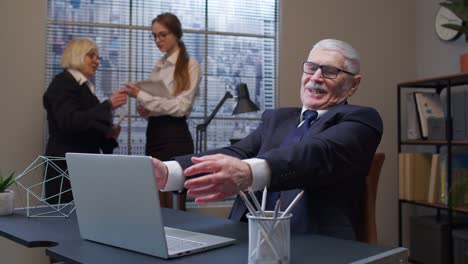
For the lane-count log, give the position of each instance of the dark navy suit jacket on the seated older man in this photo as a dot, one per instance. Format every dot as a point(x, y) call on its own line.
point(330, 163)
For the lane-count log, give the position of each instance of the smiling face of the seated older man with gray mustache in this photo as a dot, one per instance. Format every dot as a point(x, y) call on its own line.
point(318, 92)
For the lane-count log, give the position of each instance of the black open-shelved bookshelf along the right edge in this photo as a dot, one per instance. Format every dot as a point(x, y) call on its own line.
point(437, 83)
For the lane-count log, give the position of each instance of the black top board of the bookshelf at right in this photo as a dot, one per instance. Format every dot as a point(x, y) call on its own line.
point(438, 82)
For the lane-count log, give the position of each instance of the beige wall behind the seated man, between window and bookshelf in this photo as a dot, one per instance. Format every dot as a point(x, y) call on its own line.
point(384, 34)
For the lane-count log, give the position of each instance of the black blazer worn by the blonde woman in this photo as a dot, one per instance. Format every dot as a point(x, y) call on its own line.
point(77, 121)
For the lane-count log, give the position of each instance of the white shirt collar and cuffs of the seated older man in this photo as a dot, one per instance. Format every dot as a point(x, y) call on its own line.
point(260, 169)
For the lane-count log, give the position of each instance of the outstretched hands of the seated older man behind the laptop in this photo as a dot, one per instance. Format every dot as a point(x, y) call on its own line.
point(225, 177)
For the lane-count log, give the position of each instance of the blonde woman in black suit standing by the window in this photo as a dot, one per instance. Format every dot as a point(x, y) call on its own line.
point(77, 121)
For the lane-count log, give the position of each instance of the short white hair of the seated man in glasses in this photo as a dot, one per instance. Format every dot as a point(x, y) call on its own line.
point(352, 61)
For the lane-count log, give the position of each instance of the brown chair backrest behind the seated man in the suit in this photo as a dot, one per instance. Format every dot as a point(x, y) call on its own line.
point(367, 227)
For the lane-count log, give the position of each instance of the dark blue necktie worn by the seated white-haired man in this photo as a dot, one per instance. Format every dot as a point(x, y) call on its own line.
point(293, 137)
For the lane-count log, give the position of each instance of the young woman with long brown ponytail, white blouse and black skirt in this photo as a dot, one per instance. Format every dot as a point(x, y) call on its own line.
point(167, 133)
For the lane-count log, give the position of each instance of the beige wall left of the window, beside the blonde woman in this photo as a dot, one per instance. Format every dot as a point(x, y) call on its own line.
point(22, 53)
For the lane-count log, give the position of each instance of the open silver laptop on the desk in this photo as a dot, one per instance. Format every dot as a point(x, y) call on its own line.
point(117, 203)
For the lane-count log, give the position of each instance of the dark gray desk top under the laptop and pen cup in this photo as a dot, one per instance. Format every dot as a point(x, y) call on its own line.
point(62, 238)
